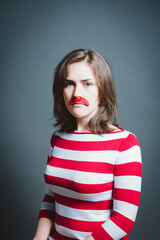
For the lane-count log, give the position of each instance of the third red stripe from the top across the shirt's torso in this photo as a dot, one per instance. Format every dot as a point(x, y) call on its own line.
point(78, 187)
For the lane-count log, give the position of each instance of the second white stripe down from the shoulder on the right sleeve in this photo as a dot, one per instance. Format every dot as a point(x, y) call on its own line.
point(128, 182)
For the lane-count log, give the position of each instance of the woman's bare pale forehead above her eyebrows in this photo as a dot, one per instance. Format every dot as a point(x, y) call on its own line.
point(80, 71)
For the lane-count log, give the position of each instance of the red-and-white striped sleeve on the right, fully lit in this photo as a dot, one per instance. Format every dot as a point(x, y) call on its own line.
point(126, 192)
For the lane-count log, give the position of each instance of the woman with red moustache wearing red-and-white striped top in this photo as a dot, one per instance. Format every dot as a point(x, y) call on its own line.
point(93, 174)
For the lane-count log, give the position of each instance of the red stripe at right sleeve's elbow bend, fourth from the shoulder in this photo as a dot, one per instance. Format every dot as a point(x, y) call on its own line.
point(122, 222)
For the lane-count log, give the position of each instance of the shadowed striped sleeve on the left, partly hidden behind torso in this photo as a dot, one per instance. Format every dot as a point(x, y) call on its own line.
point(47, 209)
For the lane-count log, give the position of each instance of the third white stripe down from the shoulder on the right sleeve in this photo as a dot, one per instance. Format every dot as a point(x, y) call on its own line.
point(126, 209)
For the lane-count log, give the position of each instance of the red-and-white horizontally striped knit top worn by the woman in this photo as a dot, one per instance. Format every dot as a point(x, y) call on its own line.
point(93, 185)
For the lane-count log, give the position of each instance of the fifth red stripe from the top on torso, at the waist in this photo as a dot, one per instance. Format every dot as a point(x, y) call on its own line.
point(77, 225)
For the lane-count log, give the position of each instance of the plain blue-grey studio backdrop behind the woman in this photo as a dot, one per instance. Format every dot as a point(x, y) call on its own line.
point(35, 35)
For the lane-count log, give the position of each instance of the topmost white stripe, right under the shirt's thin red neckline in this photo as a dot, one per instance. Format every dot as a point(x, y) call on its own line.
point(93, 137)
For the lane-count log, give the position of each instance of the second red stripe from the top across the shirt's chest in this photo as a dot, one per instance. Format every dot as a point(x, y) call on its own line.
point(97, 167)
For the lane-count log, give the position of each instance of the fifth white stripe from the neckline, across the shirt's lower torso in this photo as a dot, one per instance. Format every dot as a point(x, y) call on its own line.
point(84, 215)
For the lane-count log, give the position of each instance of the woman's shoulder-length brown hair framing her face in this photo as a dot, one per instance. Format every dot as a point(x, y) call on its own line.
point(107, 113)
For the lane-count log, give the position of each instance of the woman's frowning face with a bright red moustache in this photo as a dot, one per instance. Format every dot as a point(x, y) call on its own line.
point(81, 95)
